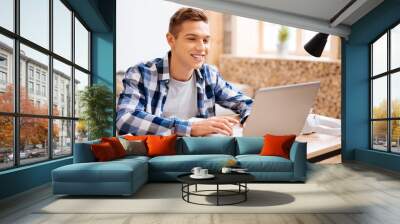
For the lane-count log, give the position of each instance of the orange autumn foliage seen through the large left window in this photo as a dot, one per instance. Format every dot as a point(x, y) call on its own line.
point(33, 130)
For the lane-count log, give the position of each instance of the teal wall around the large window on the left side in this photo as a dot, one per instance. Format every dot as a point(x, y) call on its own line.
point(99, 16)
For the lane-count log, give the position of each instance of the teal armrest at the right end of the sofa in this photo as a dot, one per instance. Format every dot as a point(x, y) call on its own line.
point(298, 155)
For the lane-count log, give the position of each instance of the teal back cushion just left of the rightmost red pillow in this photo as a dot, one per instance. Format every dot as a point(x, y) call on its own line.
point(249, 145)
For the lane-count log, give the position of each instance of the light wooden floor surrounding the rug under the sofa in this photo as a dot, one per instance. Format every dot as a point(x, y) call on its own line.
point(377, 189)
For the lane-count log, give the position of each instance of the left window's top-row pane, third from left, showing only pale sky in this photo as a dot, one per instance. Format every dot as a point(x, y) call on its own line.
point(62, 29)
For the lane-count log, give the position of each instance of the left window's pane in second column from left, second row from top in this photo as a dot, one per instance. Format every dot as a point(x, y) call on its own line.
point(34, 78)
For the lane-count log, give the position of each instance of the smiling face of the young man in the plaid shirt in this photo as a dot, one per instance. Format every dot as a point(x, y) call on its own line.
point(190, 46)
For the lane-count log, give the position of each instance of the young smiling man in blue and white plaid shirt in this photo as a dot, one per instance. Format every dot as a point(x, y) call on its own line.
point(161, 96)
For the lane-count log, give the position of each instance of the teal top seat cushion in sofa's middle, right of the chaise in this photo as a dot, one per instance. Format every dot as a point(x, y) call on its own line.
point(185, 163)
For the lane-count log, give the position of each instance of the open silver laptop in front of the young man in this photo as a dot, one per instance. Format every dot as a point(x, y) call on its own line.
point(281, 110)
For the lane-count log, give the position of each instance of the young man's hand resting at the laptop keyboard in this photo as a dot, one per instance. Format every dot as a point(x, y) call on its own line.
point(214, 125)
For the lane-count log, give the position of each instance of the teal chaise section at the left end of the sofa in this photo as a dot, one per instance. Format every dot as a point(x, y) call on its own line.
point(119, 177)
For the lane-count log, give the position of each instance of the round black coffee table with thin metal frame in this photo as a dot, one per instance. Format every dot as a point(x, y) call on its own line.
point(238, 179)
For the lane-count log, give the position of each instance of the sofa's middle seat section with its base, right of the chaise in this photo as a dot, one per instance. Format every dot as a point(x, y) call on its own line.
point(167, 168)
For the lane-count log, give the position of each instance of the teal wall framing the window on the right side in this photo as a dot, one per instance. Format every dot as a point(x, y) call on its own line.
point(355, 86)
